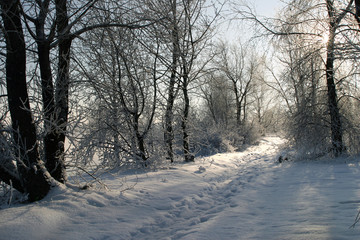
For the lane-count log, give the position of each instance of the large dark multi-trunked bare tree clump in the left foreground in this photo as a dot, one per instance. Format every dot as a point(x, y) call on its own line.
point(52, 24)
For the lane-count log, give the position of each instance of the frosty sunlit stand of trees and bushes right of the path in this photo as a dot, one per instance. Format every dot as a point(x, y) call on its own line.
point(317, 45)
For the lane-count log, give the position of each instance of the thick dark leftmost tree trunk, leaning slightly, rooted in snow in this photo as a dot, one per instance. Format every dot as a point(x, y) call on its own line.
point(30, 168)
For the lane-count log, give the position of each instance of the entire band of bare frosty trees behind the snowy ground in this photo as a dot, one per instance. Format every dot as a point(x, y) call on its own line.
point(110, 84)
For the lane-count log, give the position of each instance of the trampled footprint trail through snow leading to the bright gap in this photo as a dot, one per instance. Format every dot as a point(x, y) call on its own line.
point(187, 217)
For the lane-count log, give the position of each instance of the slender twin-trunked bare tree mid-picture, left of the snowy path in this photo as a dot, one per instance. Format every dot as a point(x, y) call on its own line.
point(186, 27)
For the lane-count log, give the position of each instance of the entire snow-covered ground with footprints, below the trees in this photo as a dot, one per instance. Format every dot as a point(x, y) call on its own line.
point(245, 195)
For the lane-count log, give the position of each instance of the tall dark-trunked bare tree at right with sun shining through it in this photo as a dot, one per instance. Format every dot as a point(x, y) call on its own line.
point(310, 21)
